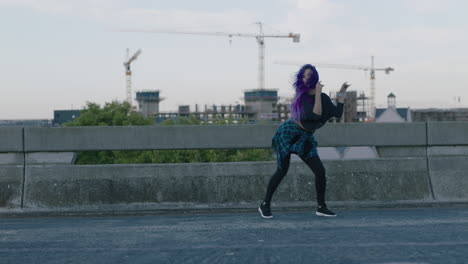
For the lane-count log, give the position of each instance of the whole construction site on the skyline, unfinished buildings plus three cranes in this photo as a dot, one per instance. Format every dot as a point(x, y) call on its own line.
point(259, 104)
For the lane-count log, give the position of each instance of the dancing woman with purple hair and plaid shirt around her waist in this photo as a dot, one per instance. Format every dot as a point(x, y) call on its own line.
point(310, 110)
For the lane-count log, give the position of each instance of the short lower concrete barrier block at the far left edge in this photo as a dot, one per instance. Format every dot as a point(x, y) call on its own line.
point(11, 185)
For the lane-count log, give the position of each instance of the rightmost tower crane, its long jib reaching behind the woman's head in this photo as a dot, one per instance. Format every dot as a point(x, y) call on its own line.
point(370, 68)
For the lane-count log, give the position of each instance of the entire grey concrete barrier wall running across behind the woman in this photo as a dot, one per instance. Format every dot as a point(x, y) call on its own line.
point(417, 163)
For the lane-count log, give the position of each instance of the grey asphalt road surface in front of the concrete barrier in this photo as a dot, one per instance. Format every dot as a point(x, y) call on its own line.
point(429, 235)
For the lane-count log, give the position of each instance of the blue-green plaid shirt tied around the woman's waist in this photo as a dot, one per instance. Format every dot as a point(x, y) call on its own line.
point(291, 138)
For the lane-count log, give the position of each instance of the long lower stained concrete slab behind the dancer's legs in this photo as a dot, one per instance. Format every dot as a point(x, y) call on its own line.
point(74, 187)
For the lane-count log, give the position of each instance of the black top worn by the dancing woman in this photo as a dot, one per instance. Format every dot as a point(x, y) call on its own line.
point(312, 121)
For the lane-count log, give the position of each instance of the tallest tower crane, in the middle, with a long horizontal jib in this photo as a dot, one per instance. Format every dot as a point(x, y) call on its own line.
point(260, 37)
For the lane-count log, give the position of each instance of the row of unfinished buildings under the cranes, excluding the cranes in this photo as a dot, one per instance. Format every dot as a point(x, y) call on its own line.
point(261, 105)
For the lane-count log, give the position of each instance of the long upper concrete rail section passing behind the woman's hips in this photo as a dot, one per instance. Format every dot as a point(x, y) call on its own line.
point(214, 136)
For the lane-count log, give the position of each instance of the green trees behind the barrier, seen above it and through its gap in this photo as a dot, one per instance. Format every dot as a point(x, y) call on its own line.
point(122, 114)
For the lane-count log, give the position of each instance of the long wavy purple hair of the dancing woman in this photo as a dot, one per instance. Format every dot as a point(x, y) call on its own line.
point(297, 109)
